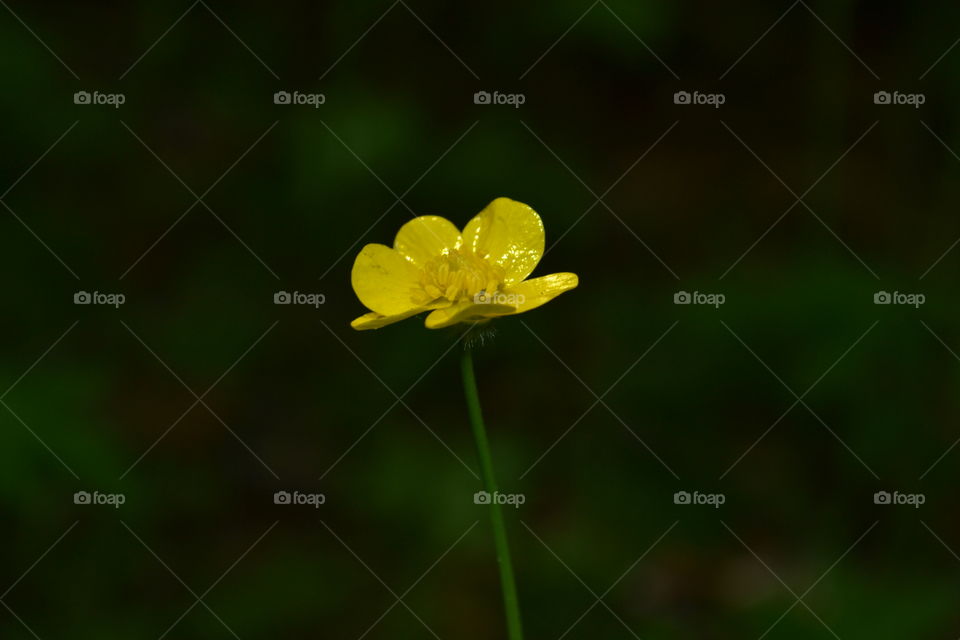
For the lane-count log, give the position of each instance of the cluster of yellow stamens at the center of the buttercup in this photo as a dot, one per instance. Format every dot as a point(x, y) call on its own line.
point(457, 275)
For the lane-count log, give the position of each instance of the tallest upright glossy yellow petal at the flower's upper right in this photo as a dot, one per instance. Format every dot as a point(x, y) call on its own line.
point(507, 233)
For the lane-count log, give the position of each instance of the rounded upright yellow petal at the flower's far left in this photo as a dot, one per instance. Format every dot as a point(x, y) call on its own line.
point(383, 280)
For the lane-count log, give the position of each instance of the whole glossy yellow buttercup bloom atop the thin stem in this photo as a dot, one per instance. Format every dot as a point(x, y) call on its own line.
point(459, 277)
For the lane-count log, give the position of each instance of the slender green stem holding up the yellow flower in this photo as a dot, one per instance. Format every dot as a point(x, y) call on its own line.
point(509, 587)
